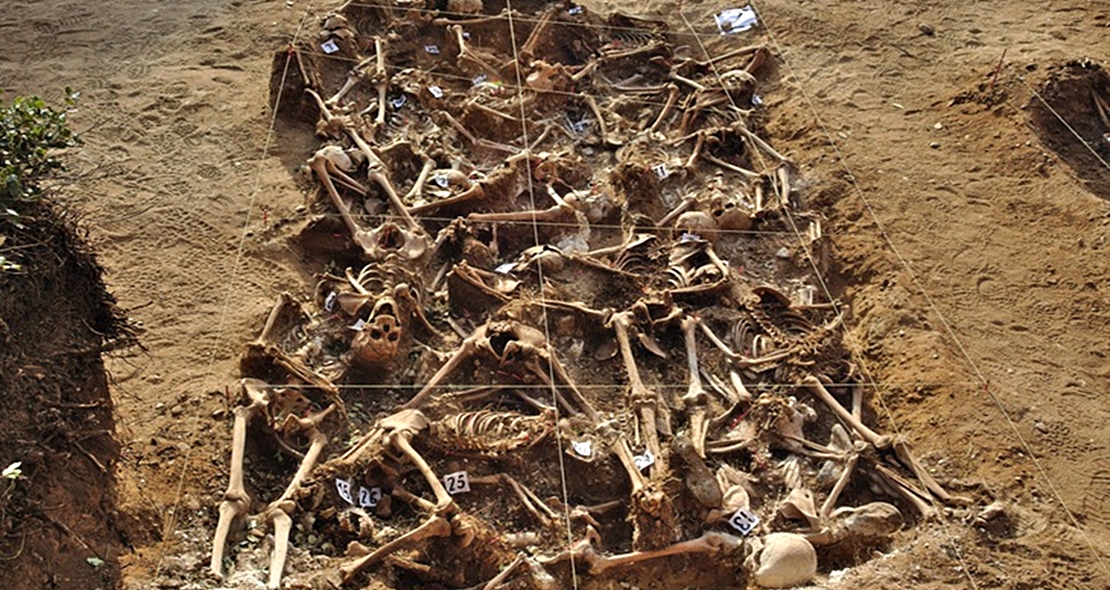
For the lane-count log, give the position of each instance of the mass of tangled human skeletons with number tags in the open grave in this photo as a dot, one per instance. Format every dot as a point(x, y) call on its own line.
point(567, 330)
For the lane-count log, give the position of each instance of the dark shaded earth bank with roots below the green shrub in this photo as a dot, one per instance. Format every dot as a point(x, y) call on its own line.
point(59, 527)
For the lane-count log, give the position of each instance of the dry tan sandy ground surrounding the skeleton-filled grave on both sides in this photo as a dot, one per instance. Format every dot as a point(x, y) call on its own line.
point(970, 233)
